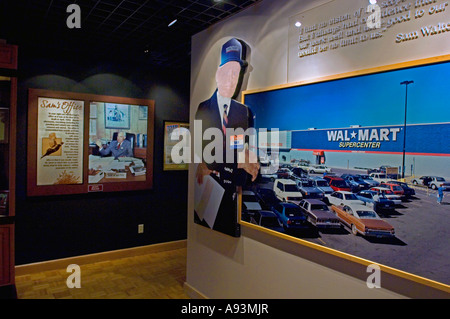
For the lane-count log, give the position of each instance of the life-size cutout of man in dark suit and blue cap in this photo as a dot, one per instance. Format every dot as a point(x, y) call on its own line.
point(222, 112)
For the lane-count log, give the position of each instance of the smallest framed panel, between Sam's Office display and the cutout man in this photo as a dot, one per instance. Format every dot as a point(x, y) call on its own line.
point(172, 134)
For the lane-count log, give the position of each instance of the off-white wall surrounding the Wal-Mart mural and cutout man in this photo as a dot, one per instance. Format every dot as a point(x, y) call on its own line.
point(258, 265)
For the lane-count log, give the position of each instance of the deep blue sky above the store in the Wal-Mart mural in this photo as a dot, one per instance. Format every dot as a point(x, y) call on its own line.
point(369, 100)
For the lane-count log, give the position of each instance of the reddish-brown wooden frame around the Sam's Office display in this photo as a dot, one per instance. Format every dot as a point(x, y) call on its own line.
point(128, 184)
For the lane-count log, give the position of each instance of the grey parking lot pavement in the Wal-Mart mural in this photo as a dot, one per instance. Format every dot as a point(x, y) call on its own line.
point(422, 236)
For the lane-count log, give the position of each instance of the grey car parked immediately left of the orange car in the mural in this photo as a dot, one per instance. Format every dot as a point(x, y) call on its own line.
point(319, 214)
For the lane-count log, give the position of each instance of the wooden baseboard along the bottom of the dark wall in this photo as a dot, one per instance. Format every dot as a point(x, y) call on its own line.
point(92, 258)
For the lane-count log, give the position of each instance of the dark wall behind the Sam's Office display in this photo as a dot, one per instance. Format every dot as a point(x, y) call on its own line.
point(52, 227)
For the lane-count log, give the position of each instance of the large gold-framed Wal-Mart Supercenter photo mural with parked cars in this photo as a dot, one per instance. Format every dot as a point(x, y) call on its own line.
point(355, 124)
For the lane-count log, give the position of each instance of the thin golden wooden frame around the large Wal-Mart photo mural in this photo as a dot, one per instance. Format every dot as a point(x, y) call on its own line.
point(427, 283)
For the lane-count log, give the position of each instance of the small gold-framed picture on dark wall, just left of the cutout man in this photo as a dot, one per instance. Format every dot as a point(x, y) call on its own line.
point(174, 133)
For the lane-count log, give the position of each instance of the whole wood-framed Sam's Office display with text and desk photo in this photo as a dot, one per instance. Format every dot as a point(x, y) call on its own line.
point(79, 143)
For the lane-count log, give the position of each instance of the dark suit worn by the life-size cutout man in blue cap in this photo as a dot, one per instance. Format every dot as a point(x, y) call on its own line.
point(239, 116)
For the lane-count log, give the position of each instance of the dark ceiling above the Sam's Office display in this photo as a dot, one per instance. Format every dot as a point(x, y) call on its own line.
point(128, 28)
